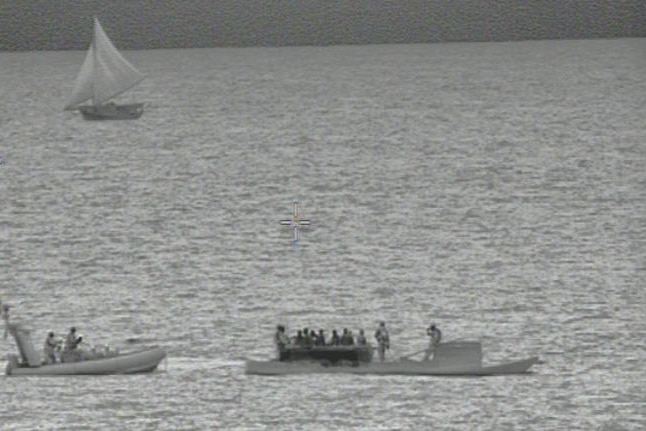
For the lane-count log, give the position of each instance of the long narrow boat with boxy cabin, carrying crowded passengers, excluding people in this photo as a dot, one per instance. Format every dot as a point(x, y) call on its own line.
point(457, 358)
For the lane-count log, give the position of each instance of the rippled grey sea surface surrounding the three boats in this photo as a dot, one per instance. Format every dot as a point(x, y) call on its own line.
point(496, 189)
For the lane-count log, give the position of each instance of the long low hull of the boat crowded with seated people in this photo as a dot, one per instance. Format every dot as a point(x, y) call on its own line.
point(401, 367)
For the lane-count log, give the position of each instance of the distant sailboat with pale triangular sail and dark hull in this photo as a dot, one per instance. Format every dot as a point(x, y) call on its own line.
point(105, 74)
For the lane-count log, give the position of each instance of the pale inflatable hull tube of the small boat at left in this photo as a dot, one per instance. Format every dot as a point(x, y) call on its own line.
point(128, 363)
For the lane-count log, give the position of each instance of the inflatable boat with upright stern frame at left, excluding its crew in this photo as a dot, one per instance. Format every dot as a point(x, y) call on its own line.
point(30, 362)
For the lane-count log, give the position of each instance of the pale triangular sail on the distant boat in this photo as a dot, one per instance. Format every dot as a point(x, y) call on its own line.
point(105, 73)
